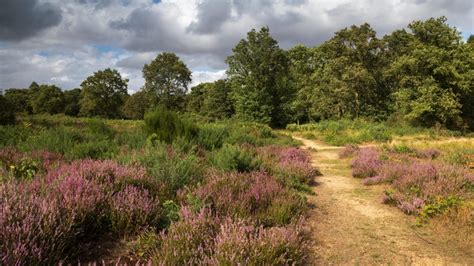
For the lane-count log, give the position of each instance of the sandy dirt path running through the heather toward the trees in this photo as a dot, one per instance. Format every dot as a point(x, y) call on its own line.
point(350, 226)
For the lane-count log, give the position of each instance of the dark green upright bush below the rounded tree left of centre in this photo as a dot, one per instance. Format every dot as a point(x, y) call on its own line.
point(167, 125)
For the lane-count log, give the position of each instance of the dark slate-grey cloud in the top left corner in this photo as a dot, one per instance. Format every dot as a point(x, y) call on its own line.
point(20, 19)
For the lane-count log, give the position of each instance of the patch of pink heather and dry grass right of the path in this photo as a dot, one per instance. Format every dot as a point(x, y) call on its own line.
point(421, 181)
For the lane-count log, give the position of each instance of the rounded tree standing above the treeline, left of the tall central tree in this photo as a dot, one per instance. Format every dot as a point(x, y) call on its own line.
point(168, 78)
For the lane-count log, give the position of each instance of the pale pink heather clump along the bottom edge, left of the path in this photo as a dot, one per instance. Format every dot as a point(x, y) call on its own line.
point(200, 238)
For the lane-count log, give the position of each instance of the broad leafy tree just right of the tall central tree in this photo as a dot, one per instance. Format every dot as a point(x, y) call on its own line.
point(350, 83)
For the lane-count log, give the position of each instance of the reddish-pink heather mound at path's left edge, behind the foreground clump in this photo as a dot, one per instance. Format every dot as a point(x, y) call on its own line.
point(253, 195)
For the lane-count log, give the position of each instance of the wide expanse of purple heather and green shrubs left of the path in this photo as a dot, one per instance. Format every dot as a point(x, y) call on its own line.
point(68, 184)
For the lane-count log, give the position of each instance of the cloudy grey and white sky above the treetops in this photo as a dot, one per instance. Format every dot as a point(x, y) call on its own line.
point(63, 41)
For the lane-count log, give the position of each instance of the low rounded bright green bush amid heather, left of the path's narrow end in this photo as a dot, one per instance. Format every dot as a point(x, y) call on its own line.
point(234, 157)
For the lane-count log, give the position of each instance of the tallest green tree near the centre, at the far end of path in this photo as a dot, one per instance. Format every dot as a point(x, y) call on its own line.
point(258, 72)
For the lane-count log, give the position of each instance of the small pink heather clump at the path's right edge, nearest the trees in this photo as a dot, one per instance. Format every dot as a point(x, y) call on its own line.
point(367, 163)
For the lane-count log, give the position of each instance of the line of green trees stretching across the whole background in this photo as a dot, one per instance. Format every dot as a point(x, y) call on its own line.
point(423, 75)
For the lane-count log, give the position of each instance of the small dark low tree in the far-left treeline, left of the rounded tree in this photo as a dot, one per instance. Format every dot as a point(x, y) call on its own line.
point(47, 99)
